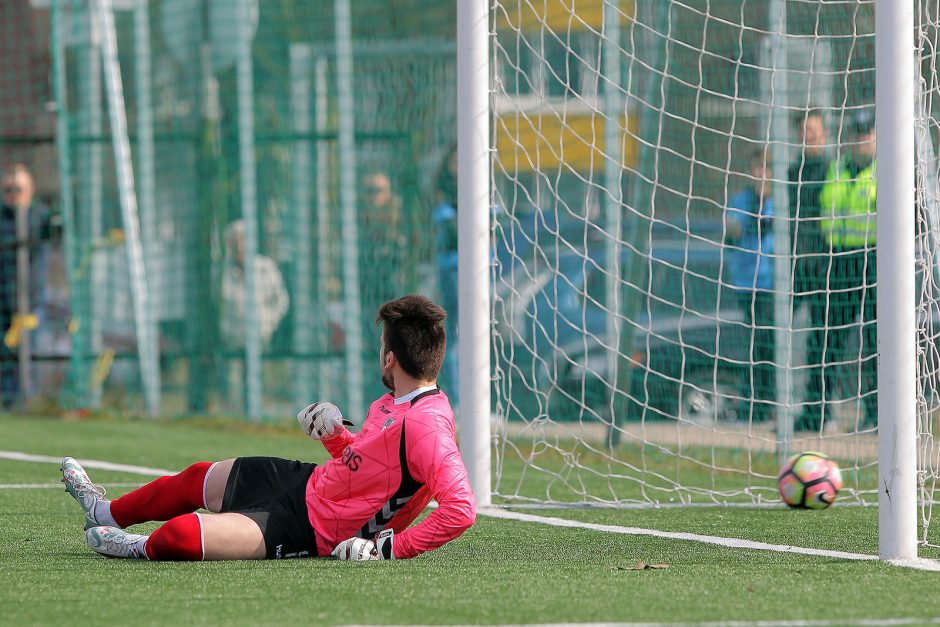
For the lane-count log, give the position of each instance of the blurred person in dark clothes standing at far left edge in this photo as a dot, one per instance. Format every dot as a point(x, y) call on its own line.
point(16, 240)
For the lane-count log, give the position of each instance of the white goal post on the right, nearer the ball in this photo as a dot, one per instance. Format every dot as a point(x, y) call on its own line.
point(897, 370)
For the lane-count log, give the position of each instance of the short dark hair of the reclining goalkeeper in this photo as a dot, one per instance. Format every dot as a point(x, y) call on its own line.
point(415, 332)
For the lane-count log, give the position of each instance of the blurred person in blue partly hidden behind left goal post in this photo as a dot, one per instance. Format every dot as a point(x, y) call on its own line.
point(444, 217)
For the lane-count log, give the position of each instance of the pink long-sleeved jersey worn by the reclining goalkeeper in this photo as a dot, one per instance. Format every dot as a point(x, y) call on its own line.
point(384, 476)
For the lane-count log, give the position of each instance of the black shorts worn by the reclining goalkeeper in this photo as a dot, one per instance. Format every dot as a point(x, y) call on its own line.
point(272, 492)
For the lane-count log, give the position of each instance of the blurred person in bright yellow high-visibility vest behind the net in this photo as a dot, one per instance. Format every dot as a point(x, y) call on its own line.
point(847, 222)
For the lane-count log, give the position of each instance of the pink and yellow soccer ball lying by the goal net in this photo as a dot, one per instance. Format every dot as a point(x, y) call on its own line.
point(809, 480)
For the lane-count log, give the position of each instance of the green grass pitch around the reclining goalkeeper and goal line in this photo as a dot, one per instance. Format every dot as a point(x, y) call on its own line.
point(498, 572)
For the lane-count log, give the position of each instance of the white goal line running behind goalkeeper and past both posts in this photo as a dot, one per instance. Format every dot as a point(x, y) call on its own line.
point(734, 543)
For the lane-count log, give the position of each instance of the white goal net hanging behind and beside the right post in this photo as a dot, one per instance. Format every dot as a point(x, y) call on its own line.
point(684, 264)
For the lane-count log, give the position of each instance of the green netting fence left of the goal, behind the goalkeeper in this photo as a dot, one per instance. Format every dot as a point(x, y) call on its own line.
point(234, 117)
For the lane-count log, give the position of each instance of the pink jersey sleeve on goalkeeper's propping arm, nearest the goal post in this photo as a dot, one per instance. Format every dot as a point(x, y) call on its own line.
point(434, 460)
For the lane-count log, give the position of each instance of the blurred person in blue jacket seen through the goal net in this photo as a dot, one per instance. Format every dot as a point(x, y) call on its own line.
point(749, 228)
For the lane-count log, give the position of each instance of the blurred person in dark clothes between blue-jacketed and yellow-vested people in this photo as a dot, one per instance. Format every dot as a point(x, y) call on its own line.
point(807, 174)
